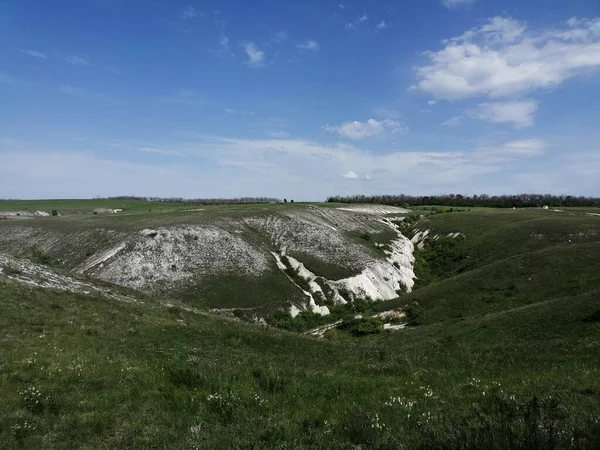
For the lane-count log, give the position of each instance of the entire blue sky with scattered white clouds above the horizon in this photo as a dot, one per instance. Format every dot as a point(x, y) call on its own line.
point(299, 100)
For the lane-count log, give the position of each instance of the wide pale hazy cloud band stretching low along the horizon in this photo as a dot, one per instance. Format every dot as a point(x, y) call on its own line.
point(295, 168)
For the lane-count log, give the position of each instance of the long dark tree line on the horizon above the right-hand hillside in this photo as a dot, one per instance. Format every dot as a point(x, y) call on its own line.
point(493, 201)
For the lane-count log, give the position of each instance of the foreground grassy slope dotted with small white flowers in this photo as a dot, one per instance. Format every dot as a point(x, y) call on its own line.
point(114, 375)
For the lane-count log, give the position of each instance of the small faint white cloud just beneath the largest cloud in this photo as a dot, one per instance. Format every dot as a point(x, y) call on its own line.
point(517, 113)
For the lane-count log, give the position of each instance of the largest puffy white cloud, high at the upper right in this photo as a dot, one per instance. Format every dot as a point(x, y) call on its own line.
point(506, 58)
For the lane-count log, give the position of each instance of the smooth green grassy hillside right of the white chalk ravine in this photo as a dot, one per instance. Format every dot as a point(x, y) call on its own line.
point(508, 259)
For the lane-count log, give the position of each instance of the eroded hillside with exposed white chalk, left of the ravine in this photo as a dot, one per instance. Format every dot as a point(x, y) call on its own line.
point(168, 255)
